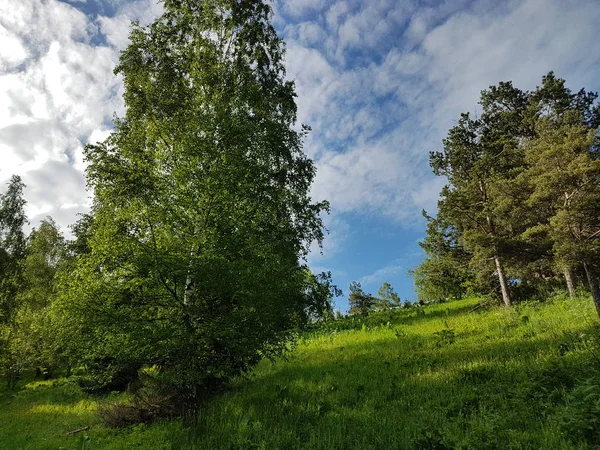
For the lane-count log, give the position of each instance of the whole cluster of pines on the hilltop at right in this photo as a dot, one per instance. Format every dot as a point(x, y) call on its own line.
point(521, 208)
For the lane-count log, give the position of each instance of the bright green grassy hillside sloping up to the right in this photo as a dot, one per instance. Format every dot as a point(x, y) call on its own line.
point(449, 376)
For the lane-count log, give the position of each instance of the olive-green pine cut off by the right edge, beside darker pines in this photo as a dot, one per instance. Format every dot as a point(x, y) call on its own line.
point(564, 176)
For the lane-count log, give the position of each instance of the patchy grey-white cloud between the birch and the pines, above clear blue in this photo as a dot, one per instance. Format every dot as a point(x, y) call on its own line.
point(375, 122)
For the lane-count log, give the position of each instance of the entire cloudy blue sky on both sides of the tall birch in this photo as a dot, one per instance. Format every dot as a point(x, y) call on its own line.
point(380, 82)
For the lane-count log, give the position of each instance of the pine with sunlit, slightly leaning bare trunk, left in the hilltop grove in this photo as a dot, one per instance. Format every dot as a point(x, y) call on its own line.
point(476, 162)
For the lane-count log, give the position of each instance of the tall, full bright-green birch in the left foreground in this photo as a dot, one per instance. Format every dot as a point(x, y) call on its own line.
point(201, 211)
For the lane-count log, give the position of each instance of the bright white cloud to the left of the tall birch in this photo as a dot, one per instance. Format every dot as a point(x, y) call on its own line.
point(58, 93)
